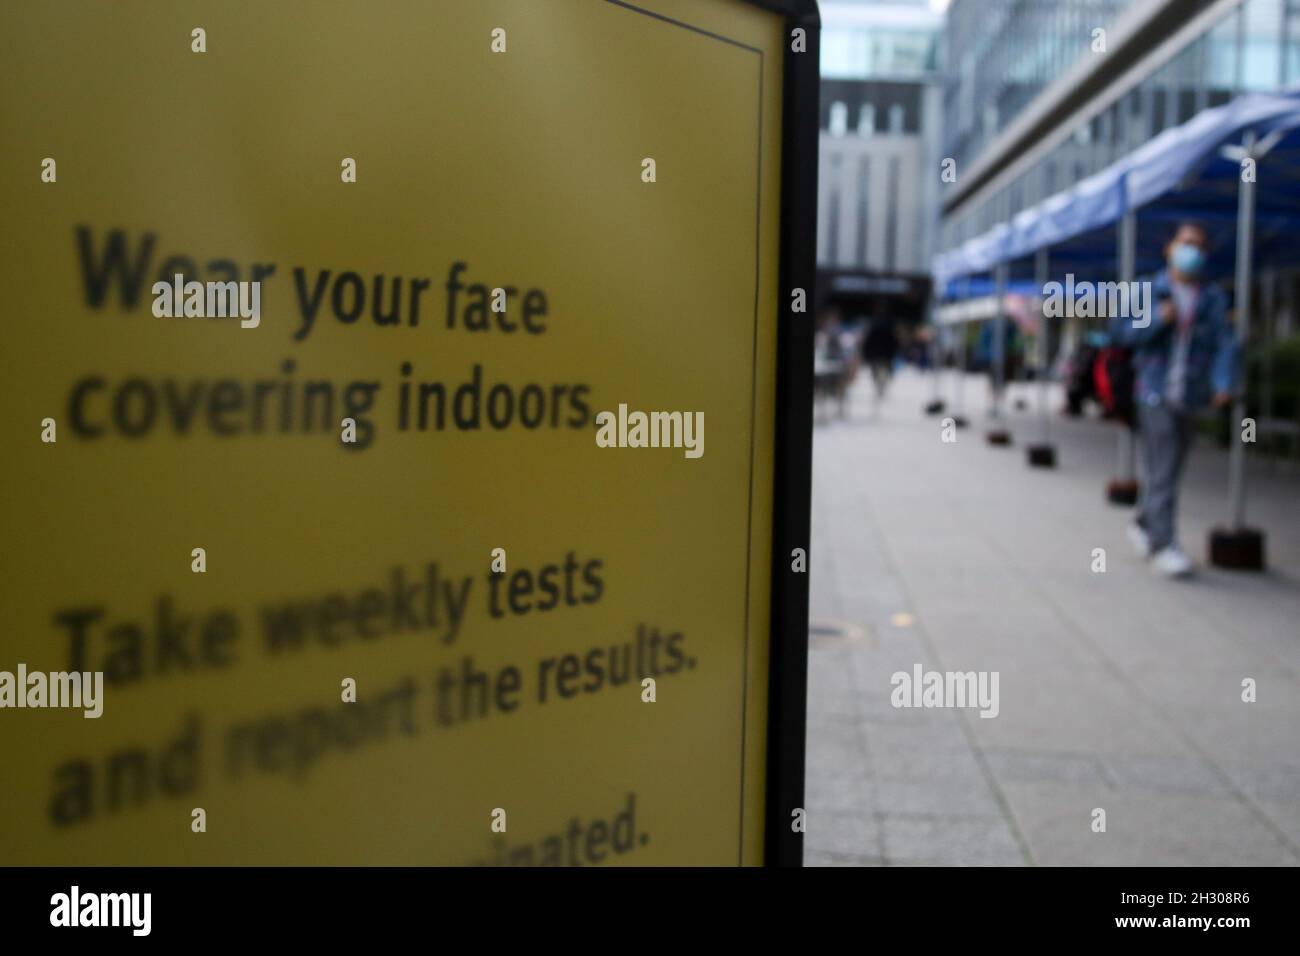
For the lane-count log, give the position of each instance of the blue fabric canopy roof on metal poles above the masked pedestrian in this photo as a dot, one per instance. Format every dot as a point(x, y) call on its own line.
point(1178, 175)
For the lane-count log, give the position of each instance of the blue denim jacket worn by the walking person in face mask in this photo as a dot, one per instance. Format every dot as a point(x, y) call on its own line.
point(1211, 352)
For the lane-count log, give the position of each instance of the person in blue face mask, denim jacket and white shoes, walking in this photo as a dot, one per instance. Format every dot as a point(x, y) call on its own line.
point(1185, 361)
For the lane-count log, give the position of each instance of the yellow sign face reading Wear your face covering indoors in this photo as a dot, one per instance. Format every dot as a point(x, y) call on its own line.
point(376, 568)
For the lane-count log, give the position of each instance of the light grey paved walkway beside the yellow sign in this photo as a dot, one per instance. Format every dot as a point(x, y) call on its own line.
point(1120, 691)
